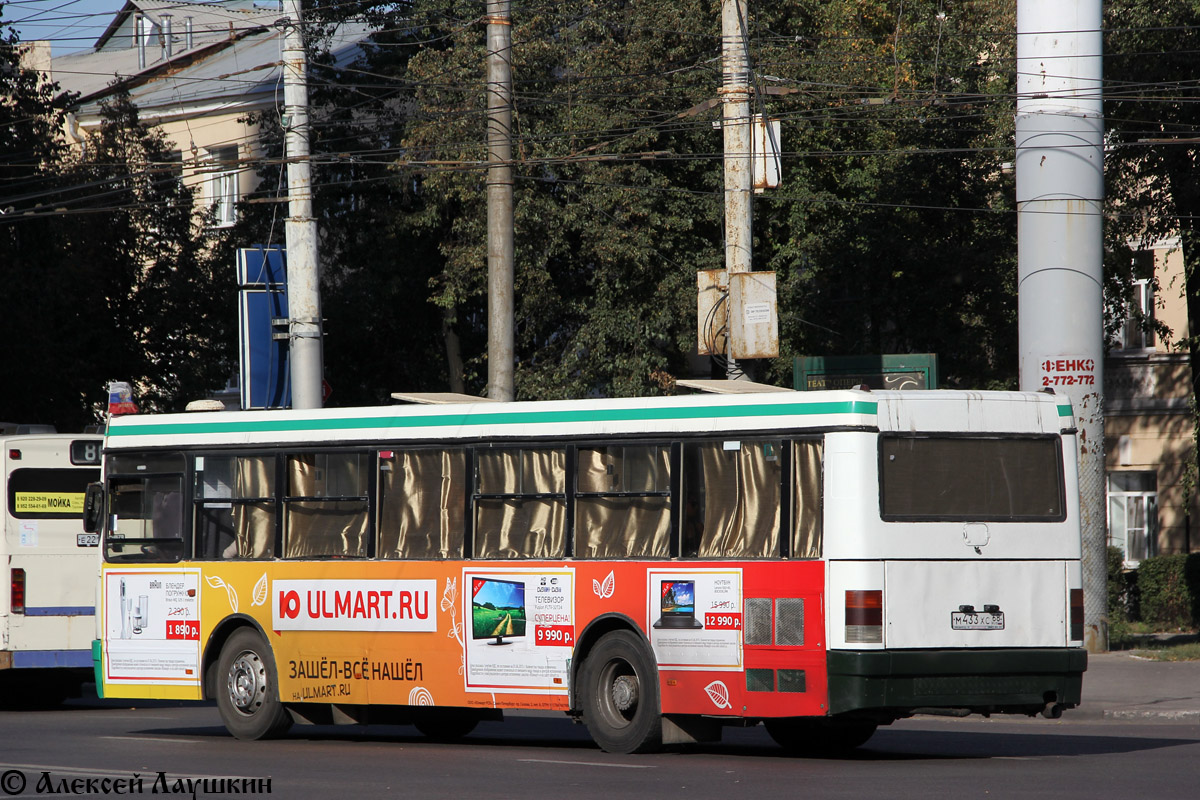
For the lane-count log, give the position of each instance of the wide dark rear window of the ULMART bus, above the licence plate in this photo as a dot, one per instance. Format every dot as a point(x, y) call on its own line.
point(971, 479)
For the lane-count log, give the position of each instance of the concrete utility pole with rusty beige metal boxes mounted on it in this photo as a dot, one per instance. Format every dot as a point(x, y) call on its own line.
point(736, 128)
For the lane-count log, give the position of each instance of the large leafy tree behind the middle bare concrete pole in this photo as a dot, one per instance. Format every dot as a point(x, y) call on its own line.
point(615, 212)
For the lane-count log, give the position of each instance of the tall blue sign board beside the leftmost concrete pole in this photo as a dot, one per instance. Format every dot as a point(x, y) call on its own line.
point(262, 324)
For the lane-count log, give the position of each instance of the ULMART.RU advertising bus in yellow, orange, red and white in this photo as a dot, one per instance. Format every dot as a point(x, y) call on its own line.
point(658, 569)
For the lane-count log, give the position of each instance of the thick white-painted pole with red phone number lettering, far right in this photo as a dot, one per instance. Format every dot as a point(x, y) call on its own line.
point(1060, 193)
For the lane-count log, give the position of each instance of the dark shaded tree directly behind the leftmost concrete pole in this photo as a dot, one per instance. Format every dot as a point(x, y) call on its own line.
point(381, 333)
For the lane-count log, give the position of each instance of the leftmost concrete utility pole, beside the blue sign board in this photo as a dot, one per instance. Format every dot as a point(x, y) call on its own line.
point(301, 232)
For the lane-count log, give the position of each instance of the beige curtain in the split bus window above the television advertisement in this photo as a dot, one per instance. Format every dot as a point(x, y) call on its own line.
point(521, 527)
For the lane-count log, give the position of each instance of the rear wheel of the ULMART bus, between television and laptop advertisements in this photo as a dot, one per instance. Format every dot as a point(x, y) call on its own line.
point(620, 695)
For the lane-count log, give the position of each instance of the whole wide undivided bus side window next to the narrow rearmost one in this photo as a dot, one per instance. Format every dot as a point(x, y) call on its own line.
point(731, 500)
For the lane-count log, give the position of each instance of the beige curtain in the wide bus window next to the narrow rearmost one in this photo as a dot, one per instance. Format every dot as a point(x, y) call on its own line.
point(741, 500)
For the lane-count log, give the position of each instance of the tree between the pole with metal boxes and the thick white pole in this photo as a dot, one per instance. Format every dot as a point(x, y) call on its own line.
point(895, 231)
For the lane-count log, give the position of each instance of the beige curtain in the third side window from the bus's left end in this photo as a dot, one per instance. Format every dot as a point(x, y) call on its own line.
point(317, 527)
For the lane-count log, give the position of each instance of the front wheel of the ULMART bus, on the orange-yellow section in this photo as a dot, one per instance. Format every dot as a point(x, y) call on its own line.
point(248, 689)
